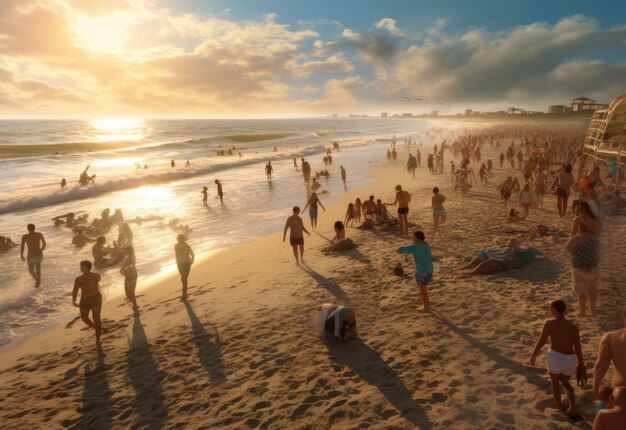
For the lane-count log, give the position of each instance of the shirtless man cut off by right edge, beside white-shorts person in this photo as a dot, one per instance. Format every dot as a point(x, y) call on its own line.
point(612, 350)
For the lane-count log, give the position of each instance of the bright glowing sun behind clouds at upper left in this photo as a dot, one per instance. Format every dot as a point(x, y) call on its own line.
point(105, 33)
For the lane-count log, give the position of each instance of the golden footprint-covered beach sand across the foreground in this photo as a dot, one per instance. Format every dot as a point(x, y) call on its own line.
point(242, 353)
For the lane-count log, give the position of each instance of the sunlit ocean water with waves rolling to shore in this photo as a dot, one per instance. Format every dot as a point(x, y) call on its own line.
point(36, 155)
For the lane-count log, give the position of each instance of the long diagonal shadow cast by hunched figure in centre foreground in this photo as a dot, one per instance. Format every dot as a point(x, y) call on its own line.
point(370, 366)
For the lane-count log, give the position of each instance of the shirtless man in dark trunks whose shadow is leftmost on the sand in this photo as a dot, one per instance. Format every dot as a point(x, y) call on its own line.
point(90, 297)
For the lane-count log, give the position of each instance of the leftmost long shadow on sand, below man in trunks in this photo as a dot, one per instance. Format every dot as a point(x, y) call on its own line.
point(97, 411)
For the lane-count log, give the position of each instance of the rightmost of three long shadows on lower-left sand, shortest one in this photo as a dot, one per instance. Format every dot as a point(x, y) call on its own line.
point(209, 347)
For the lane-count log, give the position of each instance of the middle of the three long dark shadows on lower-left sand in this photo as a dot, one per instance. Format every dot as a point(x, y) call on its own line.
point(143, 373)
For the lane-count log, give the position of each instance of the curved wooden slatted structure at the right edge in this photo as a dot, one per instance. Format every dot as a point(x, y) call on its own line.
point(605, 142)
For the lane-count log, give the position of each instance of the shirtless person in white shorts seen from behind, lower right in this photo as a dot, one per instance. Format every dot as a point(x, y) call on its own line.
point(561, 357)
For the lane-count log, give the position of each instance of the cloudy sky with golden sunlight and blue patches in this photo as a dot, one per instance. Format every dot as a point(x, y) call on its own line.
point(289, 58)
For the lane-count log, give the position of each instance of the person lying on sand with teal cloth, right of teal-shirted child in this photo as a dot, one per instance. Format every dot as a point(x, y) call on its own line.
point(499, 258)
